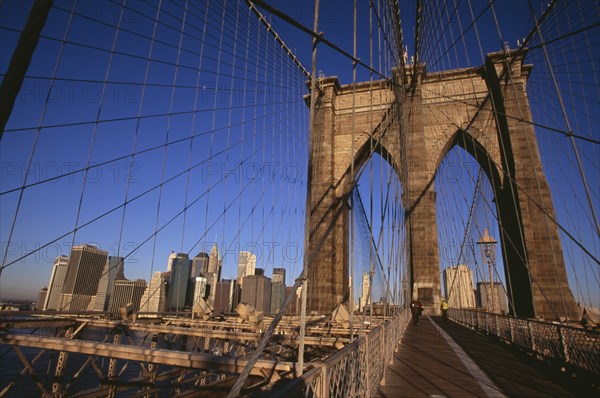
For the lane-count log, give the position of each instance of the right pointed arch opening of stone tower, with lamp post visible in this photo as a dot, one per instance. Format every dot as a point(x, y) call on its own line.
point(471, 241)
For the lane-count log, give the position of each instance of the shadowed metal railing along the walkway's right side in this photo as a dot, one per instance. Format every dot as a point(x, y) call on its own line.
point(573, 347)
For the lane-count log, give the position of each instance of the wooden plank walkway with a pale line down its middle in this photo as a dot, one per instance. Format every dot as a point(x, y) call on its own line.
point(429, 364)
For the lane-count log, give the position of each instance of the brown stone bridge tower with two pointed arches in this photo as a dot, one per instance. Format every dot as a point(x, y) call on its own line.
point(413, 125)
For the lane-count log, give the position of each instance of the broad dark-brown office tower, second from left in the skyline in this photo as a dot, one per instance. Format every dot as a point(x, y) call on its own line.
point(86, 263)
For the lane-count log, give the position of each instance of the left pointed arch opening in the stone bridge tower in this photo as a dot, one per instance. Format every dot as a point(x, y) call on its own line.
point(377, 260)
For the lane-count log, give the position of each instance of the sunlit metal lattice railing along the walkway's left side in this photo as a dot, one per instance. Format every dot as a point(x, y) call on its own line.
point(357, 370)
